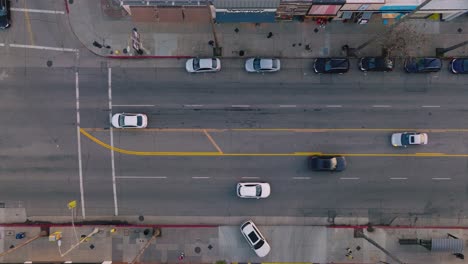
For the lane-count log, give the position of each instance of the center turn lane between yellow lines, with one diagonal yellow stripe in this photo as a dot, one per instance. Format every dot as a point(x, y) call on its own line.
point(141, 142)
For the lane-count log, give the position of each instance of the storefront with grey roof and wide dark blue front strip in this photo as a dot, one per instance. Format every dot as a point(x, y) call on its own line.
point(248, 11)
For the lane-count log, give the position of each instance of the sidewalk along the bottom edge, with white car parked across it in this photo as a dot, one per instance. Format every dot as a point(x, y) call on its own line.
point(292, 244)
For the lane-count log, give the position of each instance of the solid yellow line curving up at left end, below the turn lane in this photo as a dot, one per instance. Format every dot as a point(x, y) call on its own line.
point(298, 154)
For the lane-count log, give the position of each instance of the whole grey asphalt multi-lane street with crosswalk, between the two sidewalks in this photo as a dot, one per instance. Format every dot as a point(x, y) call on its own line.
point(207, 132)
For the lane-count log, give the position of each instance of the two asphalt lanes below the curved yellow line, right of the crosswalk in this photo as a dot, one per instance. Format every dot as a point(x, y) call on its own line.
point(295, 190)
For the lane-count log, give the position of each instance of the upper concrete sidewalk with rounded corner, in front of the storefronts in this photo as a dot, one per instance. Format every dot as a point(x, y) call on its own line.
point(93, 21)
